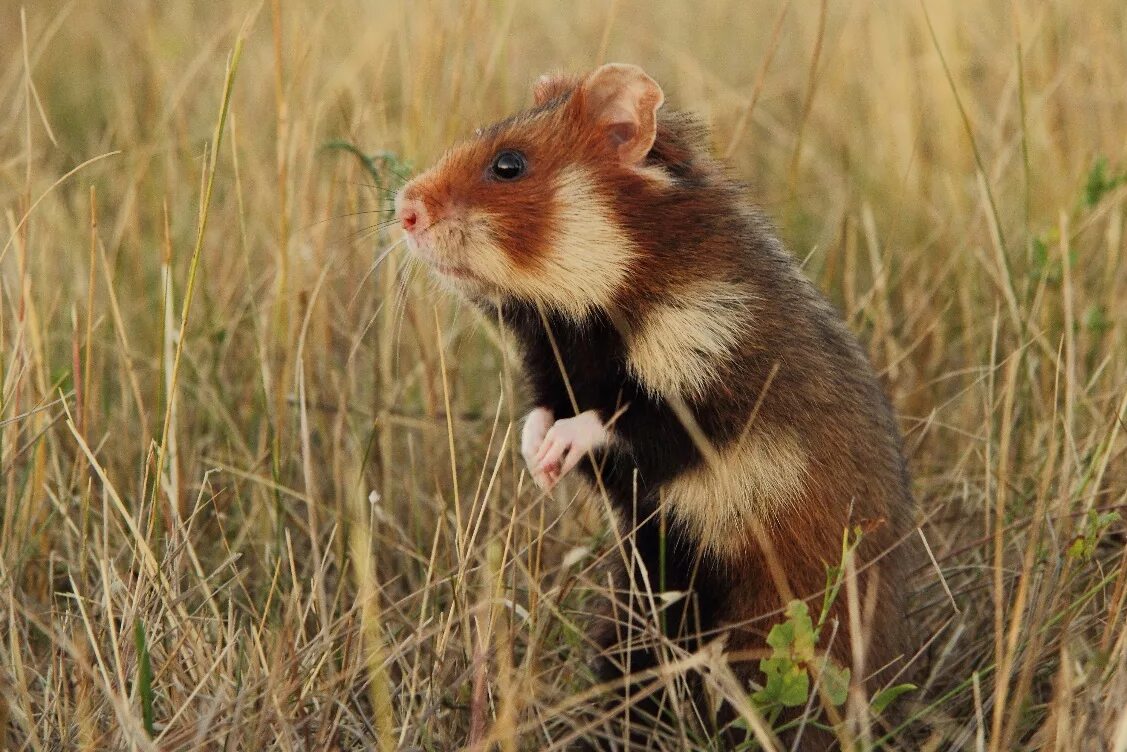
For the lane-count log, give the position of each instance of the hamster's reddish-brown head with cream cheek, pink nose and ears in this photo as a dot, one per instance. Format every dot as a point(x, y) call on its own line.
point(529, 209)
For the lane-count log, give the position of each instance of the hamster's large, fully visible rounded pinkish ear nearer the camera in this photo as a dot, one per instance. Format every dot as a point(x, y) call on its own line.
point(624, 101)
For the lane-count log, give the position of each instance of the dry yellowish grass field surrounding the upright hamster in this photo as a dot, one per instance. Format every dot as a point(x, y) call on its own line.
point(262, 493)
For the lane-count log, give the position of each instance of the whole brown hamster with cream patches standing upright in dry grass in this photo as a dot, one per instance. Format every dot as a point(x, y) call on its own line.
point(680, 360)
